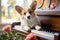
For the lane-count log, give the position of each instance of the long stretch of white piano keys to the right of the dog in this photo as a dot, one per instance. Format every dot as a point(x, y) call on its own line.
point(43, 34)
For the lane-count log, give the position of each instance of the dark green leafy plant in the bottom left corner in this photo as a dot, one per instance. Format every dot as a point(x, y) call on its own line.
point(12, 35)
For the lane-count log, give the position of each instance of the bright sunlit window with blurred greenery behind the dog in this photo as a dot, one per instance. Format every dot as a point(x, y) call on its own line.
point(8, 12)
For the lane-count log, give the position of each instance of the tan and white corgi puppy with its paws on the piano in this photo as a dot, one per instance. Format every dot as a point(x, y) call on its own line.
point(28, 17)
